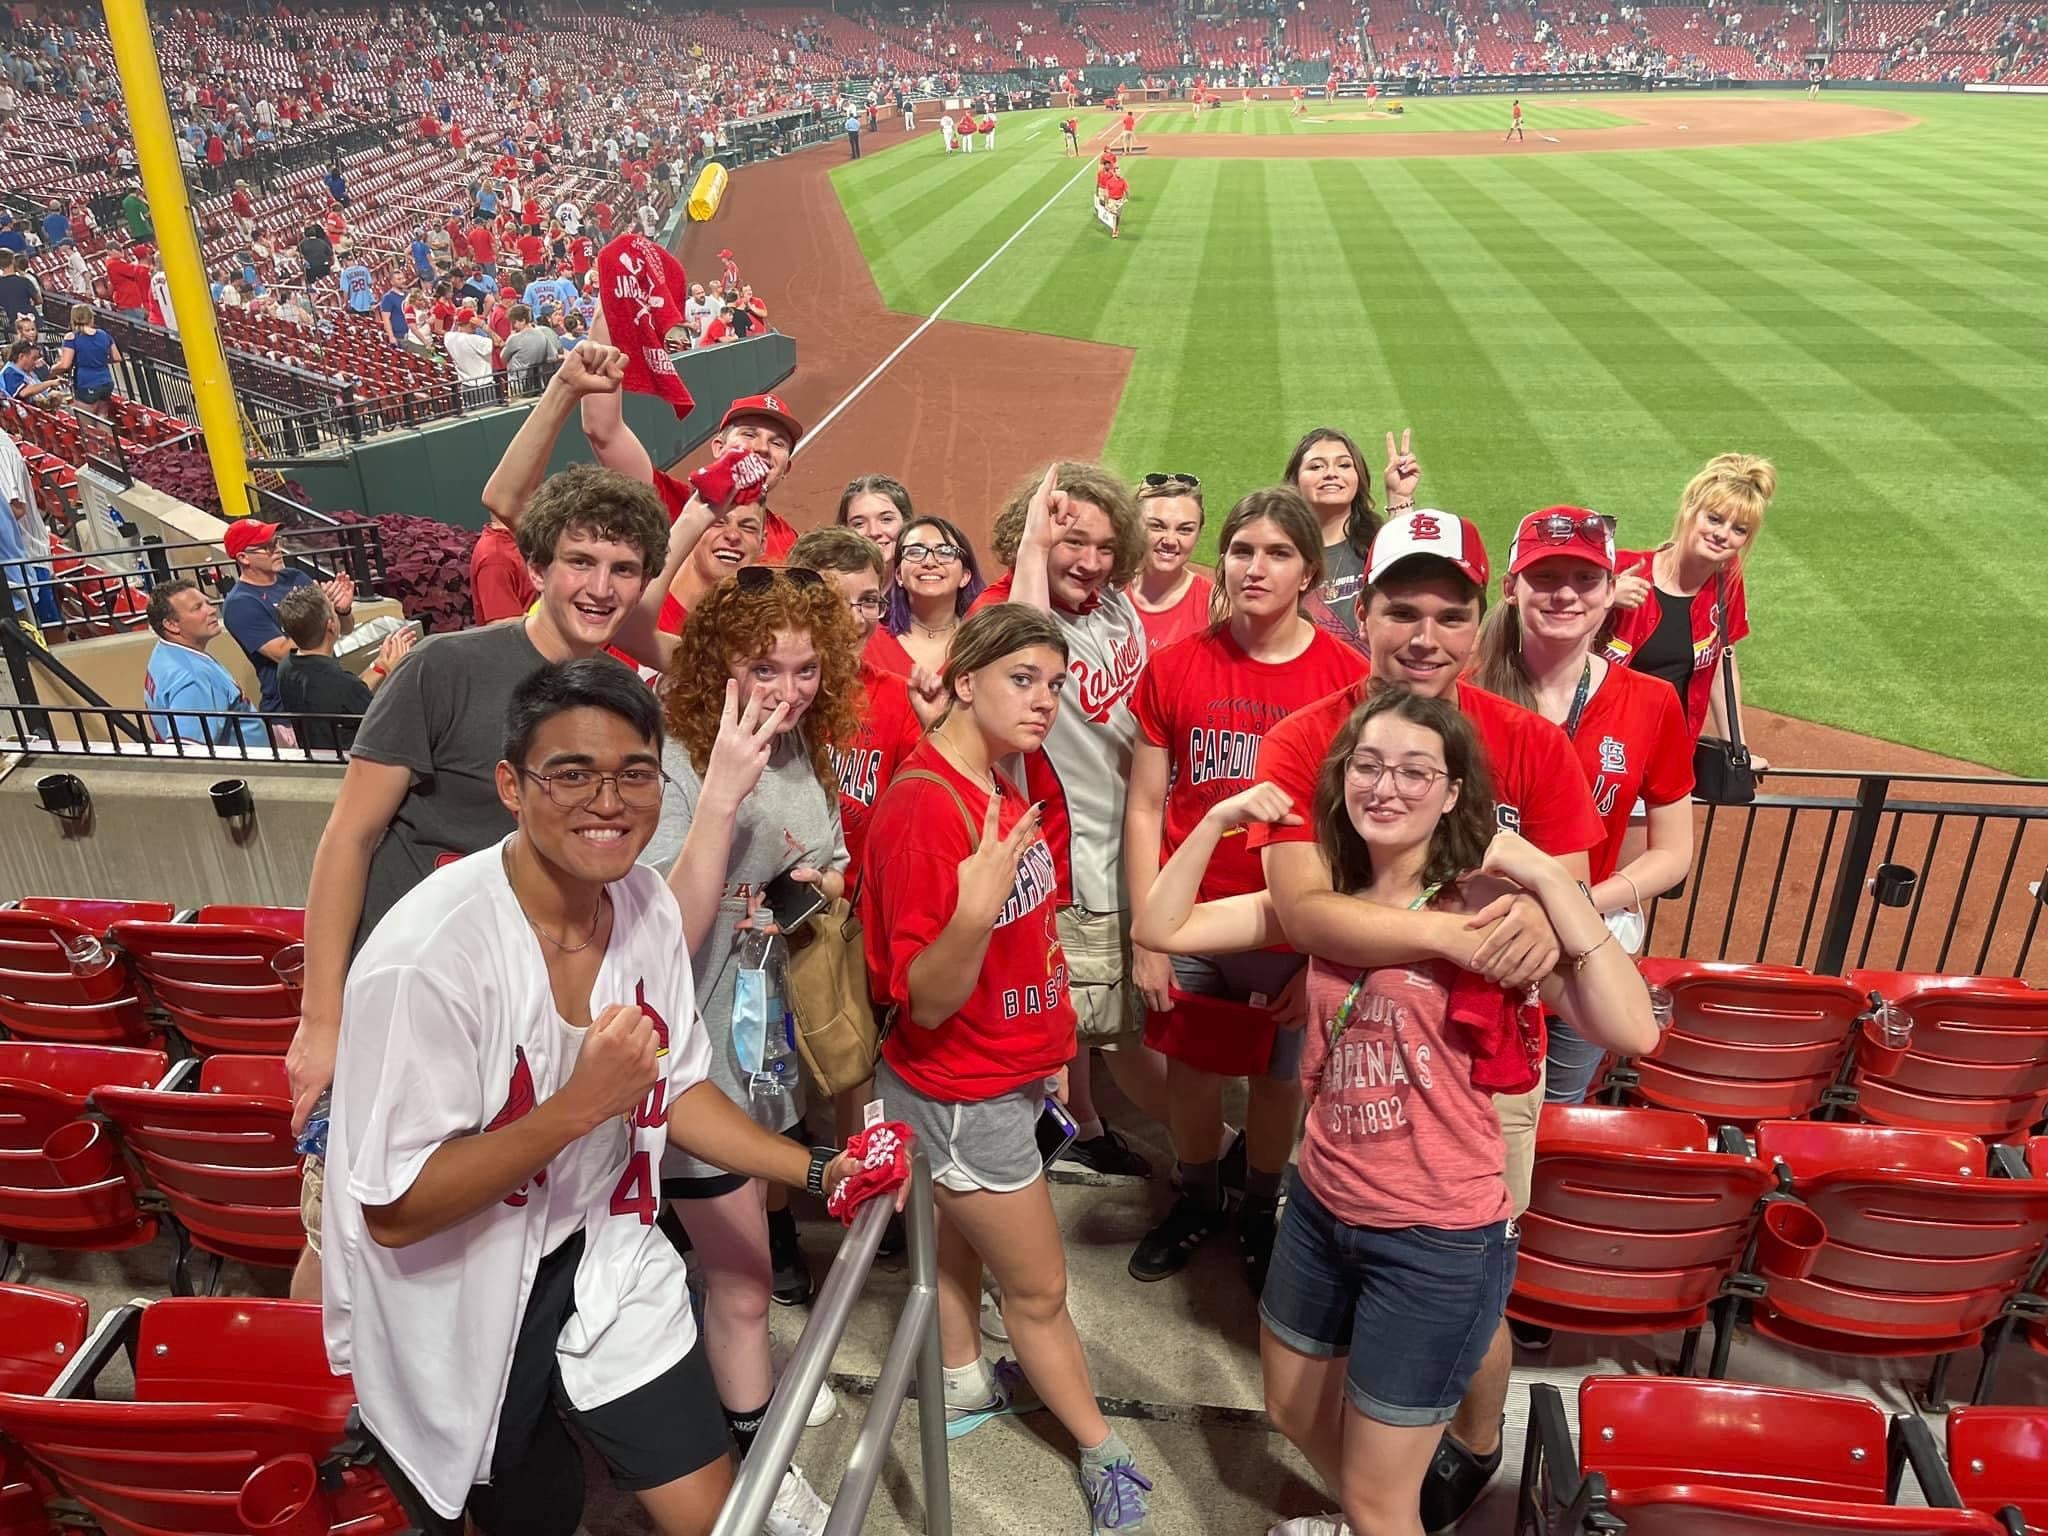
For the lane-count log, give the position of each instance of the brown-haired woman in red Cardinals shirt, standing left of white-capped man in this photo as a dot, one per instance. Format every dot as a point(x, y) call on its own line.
point(1205, 710)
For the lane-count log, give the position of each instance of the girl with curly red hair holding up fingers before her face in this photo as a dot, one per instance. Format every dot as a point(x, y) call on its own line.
point(759, 691)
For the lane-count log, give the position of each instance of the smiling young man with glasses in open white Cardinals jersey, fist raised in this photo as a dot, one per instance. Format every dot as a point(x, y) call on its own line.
point(521, 1048)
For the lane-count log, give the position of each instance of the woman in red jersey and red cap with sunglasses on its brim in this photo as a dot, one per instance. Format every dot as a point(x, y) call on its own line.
point(1539, 650)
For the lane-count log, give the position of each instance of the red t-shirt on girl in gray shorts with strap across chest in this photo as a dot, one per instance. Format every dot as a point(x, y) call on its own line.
point(1017, 1025)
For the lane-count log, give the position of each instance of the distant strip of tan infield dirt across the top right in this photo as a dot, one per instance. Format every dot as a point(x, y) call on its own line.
point(1676, 124)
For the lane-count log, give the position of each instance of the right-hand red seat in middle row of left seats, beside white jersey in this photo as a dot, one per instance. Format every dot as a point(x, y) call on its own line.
point(224, 1160)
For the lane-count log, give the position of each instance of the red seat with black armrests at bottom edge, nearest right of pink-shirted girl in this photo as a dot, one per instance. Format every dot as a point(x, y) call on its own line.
point(1715, 1459)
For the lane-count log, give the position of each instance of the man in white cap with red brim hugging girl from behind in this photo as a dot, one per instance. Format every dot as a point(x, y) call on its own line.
point(1426, 593)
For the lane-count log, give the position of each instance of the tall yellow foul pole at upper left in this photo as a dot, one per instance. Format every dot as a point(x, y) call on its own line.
point(163, 183)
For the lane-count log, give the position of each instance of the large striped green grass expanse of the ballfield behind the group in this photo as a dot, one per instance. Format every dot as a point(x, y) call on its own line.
point(1871, 312)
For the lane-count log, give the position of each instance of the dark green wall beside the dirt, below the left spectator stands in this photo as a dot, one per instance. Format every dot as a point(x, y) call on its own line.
point(441, 470)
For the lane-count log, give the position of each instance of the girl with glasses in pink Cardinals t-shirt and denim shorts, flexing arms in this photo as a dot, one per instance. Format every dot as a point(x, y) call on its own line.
point(1398, 1250)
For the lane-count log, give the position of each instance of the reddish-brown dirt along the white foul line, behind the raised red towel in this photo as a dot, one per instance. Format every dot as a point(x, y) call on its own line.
point(959, 419)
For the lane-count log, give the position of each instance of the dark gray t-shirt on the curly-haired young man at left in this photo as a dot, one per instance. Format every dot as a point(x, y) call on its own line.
point(443, 718)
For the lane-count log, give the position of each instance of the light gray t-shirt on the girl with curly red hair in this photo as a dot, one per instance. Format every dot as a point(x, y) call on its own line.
point(790, 820)
